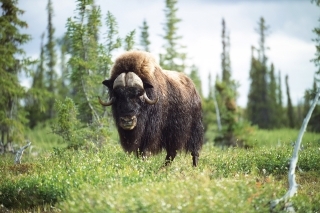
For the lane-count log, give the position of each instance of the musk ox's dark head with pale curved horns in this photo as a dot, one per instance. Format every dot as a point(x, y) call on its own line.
point(127, 94)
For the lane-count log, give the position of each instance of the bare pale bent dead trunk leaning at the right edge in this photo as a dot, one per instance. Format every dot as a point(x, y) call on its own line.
point(293, 186)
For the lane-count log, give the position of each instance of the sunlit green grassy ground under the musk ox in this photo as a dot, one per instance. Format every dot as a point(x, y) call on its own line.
point(109, 180)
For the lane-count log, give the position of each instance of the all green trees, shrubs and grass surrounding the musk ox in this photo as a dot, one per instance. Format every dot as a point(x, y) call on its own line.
point(73, 162)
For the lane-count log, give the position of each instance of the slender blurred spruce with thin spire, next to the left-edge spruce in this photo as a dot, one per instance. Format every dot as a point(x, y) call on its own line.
point(46, 85)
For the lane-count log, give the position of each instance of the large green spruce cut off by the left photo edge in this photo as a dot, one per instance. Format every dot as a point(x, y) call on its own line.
point(12, 62)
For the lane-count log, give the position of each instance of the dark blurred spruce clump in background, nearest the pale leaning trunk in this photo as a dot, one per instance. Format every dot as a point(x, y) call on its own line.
point(264, 106)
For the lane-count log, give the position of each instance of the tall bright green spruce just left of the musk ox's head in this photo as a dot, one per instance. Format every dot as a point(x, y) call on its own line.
point(82, 36)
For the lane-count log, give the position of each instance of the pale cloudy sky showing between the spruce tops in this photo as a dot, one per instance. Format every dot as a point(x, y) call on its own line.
point(289, 38)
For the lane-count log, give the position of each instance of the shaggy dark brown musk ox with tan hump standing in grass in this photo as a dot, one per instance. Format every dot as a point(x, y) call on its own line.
point(154, 109)
